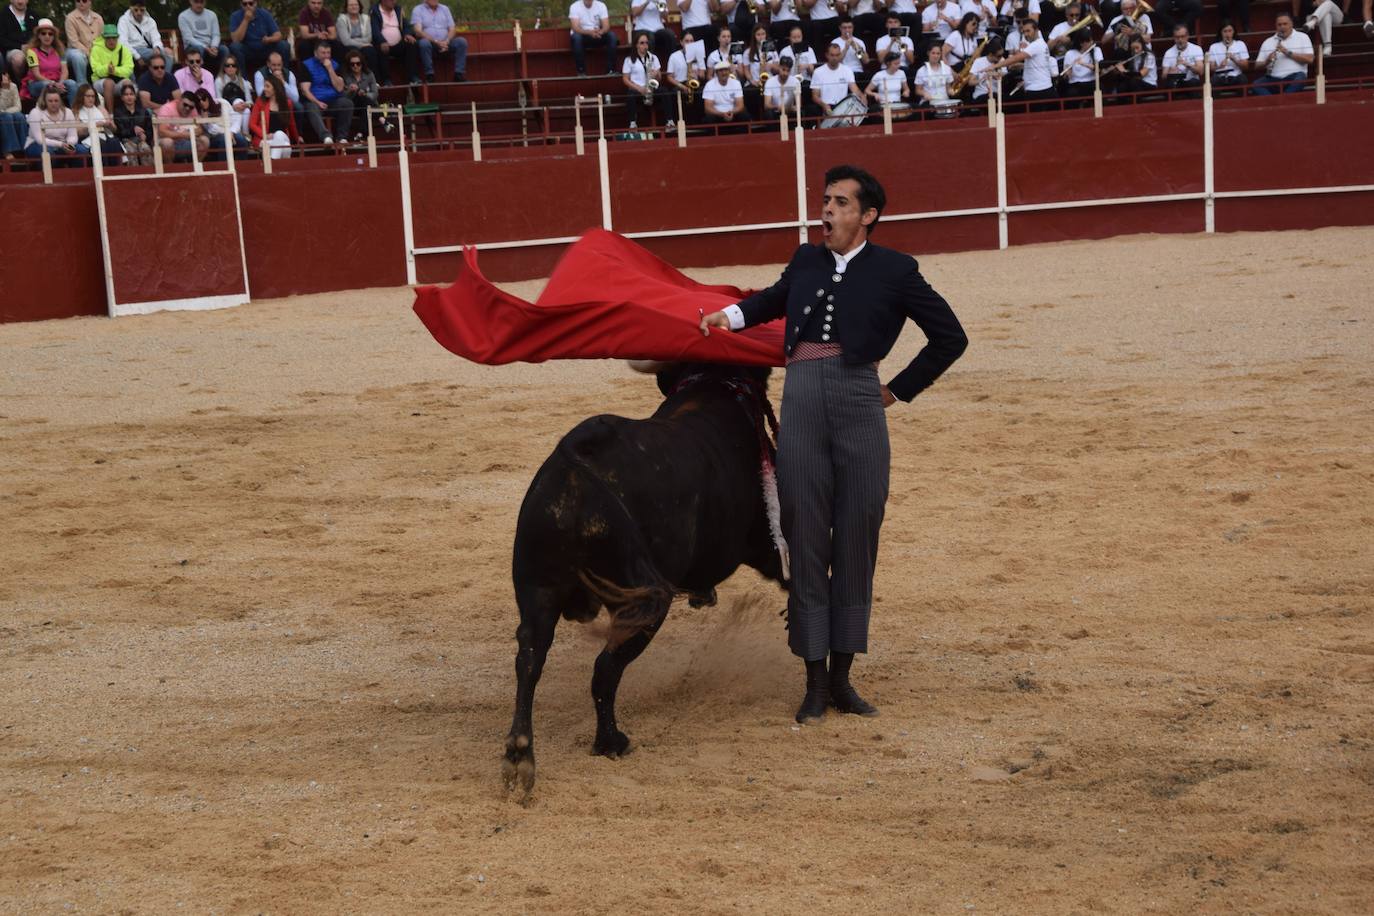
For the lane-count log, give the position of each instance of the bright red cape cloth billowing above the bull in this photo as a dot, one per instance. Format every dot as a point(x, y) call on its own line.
point(608, 299)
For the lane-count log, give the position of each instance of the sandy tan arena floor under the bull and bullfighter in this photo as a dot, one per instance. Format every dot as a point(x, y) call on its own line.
point(256, 619)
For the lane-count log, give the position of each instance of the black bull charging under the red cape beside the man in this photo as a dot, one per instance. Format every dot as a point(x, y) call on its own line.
point(630, 514)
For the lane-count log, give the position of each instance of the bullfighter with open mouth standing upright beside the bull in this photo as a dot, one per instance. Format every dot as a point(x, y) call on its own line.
point(846, 303)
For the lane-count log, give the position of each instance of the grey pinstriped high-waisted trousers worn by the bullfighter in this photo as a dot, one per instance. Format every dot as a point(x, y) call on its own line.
point(833, 459)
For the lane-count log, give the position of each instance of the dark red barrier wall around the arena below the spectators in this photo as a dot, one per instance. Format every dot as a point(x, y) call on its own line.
point(328, 225)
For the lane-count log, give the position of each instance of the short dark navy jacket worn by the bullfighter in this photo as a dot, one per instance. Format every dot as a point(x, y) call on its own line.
point(875, 297)
